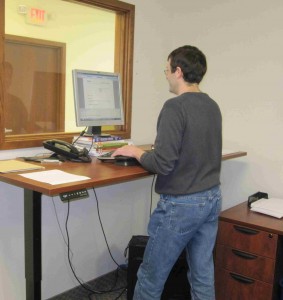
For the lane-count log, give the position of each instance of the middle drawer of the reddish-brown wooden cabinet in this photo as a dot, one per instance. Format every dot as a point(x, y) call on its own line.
point(244, 263)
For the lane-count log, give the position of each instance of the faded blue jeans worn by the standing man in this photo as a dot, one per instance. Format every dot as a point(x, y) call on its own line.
point(187, 222)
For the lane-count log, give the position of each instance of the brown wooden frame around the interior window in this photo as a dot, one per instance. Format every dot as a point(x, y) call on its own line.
point(123, 63)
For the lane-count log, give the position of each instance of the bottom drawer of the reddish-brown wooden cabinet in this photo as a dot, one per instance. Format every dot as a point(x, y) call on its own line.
point(232, 286)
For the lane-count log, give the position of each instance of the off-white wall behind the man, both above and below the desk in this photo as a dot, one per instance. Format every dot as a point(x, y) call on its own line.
point(242, 41)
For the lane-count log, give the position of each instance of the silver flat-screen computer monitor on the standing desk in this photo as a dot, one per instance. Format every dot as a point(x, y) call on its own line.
point(98, 99)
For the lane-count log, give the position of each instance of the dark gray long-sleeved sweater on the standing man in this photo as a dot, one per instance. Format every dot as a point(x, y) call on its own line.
point(187, 155)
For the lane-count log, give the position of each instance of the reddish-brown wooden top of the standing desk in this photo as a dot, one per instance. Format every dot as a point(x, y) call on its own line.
point(100, 174)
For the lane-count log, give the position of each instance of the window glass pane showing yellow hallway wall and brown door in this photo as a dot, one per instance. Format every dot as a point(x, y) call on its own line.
point(88, 35)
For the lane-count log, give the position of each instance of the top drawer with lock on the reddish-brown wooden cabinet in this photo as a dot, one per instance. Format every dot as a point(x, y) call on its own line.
point(247, 239)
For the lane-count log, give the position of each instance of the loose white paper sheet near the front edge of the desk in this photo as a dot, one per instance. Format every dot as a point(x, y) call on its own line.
point(54, 177)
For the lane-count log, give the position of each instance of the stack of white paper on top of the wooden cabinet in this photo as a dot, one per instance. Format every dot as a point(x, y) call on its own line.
point(272, 207)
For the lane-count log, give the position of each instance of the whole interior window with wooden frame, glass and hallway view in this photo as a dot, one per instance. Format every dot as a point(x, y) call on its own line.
point(42, 44)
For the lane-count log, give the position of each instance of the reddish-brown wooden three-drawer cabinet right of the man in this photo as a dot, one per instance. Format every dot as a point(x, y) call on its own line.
point(248, 256)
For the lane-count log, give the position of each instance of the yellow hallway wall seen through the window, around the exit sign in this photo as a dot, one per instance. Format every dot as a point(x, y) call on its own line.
point(89, 35)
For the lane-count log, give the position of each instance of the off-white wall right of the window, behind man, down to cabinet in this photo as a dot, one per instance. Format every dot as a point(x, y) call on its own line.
point(243, 45)
